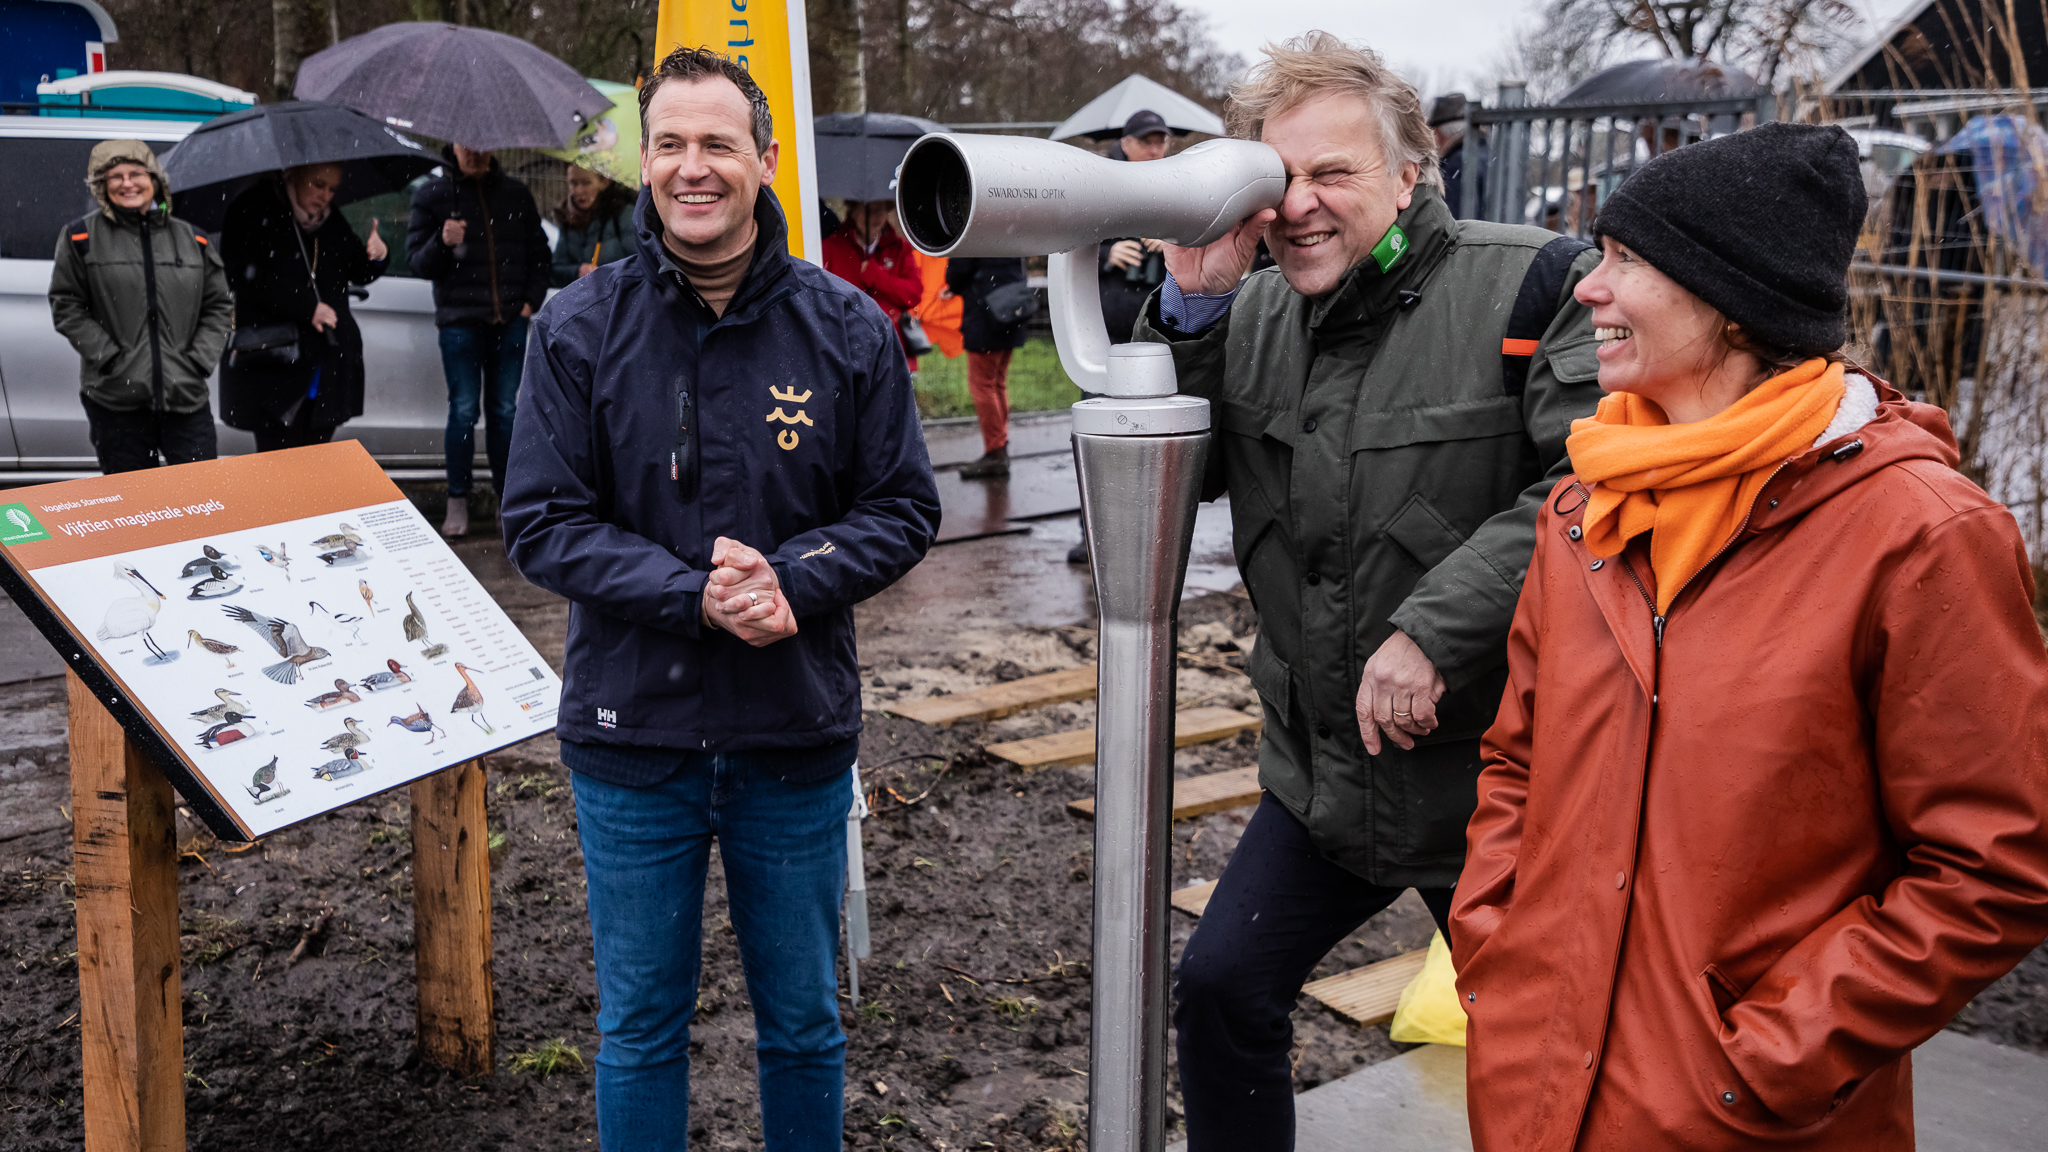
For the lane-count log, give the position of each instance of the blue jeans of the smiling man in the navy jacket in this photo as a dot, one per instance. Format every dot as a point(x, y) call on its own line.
point(785, 872)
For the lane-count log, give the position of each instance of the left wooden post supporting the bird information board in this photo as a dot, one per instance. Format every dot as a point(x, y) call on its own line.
point(126, 860)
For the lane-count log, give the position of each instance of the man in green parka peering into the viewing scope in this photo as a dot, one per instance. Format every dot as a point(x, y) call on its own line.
point(1390, 413)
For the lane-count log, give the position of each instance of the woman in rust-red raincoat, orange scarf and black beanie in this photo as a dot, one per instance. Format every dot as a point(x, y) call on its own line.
point(1766, 800)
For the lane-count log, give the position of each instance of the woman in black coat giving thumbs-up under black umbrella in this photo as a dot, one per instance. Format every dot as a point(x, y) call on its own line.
point(294, 372)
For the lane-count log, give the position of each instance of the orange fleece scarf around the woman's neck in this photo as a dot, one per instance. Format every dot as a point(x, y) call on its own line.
point(1693, 485)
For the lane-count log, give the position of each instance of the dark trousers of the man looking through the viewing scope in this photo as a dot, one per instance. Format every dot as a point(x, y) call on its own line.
point(1277, 911)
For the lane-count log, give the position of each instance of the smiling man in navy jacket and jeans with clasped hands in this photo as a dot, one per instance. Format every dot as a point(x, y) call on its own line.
point(718, 454)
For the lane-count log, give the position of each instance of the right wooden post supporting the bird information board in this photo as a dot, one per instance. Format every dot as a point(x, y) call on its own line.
point(452, 907)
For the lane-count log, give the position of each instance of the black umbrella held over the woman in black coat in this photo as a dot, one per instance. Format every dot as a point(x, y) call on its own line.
point(228, 155)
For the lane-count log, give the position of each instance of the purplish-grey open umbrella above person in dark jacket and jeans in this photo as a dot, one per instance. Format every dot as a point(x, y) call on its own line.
point(454, 83)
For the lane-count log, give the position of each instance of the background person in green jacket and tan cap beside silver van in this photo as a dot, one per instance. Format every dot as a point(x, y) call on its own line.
point(146, 304)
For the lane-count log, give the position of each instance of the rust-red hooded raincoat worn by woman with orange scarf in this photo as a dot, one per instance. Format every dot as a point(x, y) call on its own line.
point(1732, 868)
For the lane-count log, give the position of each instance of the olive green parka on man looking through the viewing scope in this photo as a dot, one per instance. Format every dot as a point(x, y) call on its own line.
point(1385, 477)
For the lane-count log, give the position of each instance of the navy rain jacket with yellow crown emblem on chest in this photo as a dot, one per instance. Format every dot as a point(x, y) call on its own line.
point(810, 452)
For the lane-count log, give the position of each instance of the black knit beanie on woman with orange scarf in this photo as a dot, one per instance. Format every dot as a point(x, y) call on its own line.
point(1758, 224)
